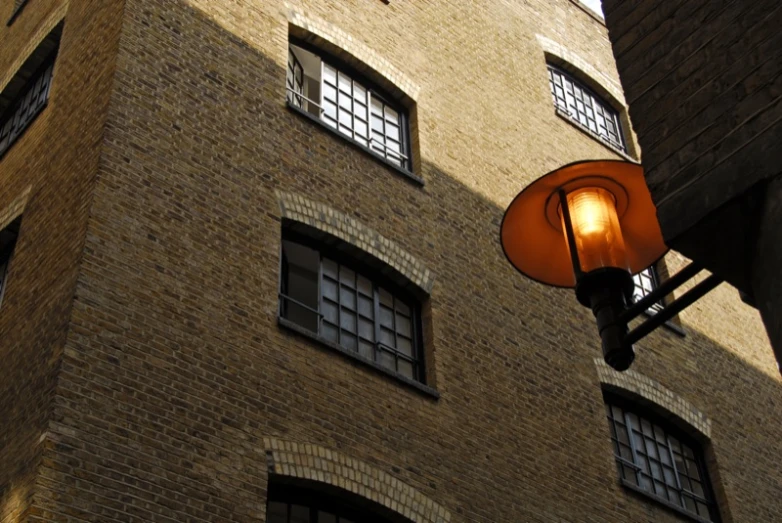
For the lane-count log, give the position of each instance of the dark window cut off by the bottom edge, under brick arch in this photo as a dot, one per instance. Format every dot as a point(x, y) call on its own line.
point(288, 504)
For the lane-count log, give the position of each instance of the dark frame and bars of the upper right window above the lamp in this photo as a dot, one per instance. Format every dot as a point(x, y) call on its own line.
point(621, 146)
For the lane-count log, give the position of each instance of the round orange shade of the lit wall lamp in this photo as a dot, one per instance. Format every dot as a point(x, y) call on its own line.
point(533, 238)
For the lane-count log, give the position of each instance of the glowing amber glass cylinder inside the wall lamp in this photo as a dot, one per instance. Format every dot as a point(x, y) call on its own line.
point(596, 229)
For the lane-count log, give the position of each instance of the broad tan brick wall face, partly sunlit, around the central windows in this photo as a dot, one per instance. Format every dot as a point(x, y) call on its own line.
point(176, 379)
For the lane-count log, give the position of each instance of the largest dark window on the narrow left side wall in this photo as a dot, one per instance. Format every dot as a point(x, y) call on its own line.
point(27, 93)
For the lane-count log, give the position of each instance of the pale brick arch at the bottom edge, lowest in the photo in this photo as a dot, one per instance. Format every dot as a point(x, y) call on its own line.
point(316, 463)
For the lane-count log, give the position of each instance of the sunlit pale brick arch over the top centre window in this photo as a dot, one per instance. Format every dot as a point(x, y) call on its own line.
point(366, 60)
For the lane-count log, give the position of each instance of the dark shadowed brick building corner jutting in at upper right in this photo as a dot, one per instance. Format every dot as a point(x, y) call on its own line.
point(703, 80)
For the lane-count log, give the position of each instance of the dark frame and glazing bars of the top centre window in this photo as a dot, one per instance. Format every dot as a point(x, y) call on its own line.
point(374, 91)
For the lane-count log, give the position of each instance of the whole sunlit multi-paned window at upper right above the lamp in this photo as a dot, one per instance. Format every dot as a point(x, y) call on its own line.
point(585, 107)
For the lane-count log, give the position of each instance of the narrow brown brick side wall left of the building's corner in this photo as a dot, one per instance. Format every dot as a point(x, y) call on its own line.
point(47, 176)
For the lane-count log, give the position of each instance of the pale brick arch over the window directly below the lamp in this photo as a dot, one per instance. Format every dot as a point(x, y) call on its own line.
point(652, 391)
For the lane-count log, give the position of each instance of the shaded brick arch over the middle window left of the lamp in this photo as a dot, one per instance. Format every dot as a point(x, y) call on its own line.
point(328, 220)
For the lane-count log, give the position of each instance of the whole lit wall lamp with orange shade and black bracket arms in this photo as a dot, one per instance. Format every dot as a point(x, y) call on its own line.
point(591, 225)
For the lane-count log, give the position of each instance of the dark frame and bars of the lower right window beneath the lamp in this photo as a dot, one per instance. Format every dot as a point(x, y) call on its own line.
point(644, 411)
